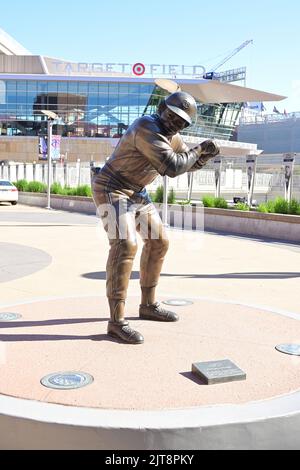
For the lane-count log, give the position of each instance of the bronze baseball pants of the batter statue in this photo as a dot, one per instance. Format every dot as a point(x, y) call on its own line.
point(124, 213)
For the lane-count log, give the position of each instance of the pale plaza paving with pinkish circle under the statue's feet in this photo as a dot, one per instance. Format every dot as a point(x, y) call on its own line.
point(245, 295)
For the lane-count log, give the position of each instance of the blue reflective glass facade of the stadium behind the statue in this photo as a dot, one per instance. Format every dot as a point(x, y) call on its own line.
point(96, 109)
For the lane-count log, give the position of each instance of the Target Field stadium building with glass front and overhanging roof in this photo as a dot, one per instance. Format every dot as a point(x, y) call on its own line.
point(97, 102)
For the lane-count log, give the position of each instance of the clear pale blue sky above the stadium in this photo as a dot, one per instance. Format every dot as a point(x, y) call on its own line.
point(168, 32)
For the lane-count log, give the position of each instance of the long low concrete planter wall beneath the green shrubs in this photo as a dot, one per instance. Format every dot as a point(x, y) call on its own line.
point(276, 226)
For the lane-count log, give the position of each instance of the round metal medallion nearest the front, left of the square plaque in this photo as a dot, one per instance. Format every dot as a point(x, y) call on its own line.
point(67, 380)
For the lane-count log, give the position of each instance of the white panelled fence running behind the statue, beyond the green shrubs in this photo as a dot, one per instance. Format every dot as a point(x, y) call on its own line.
point(269, 182)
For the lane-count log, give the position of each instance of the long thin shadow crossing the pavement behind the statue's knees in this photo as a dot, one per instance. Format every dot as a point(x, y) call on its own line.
point(135, 275)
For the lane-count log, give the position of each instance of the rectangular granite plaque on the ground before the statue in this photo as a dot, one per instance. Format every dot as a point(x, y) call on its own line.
point(217, 372)
